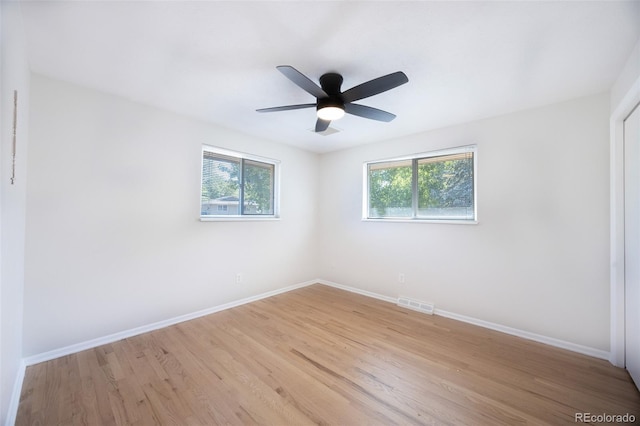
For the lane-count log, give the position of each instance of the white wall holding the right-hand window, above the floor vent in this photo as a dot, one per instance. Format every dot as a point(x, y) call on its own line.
point(538, 258)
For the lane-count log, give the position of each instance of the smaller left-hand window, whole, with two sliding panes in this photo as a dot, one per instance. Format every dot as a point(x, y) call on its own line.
point(237, 185)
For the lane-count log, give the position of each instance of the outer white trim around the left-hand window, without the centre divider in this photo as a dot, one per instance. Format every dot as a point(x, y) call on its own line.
point(243, 218)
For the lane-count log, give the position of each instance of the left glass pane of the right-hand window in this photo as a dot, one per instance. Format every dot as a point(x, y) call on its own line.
point(390, 189)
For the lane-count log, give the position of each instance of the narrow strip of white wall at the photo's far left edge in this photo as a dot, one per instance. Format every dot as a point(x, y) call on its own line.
point(15, 76)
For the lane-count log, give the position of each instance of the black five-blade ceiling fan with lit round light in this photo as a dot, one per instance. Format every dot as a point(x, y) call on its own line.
point(331, 104)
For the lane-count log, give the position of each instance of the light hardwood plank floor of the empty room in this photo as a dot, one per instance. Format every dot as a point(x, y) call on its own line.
point(324, 356)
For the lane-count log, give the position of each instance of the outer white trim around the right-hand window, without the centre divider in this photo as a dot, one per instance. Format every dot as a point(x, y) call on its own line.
point(441, 152)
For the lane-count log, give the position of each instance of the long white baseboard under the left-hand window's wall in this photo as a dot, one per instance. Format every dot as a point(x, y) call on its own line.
point(89, 344)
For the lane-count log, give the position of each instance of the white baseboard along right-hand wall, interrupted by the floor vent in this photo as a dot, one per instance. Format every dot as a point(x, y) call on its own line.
point(574, 347)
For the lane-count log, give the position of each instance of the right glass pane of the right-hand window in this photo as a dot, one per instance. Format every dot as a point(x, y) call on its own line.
point(445, 187)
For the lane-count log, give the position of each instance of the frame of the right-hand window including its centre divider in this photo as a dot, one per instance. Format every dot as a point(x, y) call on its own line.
point(415, 158)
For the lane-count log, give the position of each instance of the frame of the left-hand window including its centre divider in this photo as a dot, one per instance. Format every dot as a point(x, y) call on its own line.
point(241, 156)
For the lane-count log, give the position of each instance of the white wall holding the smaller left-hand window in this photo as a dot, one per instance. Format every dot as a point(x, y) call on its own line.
point(114, 239)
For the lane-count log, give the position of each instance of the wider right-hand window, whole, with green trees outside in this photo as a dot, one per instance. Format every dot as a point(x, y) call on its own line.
point(432, 186)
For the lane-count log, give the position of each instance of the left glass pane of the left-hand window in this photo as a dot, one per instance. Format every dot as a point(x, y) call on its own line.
point(220, 185)
